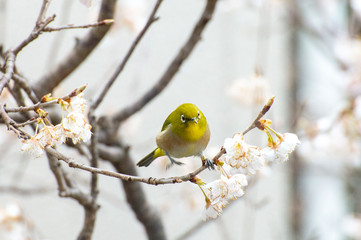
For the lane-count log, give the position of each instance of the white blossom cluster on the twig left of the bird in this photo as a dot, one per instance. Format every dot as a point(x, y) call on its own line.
point(73, 126)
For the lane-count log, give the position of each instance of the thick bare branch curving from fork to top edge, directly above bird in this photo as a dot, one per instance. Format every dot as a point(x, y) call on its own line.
point(173, 68)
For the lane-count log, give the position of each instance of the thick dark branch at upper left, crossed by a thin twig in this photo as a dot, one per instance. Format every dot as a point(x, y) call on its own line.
point(78, 54)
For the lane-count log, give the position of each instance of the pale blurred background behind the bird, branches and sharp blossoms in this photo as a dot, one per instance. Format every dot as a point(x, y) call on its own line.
point(307, 53)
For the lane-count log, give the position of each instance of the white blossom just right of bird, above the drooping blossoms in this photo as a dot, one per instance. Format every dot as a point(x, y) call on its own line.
point(242, 156)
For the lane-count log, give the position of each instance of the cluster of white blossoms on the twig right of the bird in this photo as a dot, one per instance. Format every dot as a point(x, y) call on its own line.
point(243, 159)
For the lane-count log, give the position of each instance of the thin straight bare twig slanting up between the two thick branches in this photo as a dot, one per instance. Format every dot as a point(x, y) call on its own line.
point(120, 68)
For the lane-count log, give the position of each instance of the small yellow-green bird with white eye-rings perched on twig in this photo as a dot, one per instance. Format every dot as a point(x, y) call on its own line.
point(185, 132)
